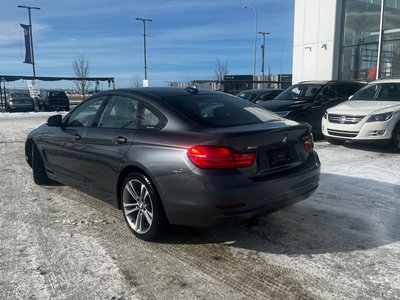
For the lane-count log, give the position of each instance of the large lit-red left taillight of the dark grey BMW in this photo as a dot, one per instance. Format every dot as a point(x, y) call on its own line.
point(212, 157)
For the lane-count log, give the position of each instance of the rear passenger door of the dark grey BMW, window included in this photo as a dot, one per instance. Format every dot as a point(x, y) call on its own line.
point(105, 145)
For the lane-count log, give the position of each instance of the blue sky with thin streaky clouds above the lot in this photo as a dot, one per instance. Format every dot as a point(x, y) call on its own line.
point(184, 39)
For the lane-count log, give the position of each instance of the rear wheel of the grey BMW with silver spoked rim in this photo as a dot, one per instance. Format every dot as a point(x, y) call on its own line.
point(142, 208)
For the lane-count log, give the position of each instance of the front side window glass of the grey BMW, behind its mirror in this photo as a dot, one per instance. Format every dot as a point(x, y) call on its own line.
point(85, 115)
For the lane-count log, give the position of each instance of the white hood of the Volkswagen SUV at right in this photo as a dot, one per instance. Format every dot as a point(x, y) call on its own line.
point(364, 108)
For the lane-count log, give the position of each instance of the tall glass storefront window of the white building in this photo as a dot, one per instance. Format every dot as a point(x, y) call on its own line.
point(360, 40)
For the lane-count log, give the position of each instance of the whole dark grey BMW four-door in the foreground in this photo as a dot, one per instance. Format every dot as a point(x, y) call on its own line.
point(177, 156)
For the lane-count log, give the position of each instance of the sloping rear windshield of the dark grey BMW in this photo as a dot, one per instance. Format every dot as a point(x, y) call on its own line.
point(220, 110)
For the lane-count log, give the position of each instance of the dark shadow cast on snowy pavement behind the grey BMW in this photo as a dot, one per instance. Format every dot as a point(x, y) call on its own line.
point(345, 214)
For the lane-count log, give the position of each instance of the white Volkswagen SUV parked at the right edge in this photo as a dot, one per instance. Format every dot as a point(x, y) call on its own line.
point(371, 115)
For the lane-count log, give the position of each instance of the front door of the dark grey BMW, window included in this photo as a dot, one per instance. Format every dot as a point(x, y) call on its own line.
point(64, 145)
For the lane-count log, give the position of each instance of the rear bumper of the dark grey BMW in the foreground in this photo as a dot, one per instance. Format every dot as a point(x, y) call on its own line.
point(192, 198)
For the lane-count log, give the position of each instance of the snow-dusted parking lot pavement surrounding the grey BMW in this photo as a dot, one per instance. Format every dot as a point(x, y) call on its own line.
point(343, 242)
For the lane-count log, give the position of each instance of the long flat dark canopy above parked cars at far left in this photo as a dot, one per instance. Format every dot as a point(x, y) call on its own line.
point(9, 78)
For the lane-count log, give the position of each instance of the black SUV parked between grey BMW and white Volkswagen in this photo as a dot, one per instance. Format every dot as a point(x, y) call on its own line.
point(307, 101)
